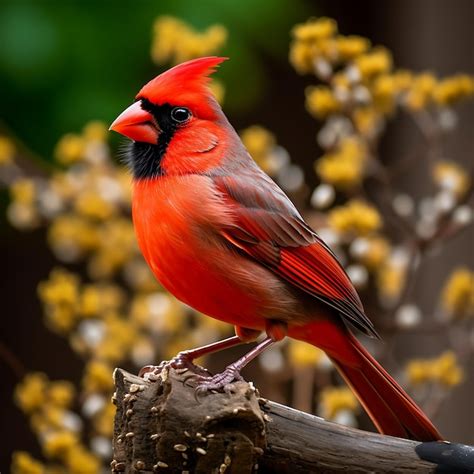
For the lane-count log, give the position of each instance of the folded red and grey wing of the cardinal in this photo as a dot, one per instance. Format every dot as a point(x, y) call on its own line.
point(269, 229)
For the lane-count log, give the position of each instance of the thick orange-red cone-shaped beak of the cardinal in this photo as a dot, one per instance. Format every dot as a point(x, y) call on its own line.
point(136, 124)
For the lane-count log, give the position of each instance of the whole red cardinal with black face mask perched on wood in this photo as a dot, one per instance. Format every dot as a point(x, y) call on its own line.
point(222, 237)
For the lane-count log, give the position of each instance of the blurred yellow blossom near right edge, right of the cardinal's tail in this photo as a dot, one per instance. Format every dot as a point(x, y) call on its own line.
point(443, 370)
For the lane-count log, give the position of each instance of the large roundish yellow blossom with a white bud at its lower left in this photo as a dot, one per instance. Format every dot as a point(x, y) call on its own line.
point(343, 168)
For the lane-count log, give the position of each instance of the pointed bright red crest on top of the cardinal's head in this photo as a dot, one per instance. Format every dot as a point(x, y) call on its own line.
point(184, 84)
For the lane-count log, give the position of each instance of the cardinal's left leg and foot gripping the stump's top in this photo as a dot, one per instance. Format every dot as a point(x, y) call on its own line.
point(185, 359)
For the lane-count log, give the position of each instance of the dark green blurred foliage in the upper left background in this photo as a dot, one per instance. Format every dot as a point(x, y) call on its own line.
point(62, 62)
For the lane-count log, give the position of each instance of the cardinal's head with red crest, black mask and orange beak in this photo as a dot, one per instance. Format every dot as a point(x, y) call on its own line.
point(174, 120)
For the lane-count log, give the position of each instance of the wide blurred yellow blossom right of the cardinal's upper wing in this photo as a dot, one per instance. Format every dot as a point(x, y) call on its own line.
point(356, 217)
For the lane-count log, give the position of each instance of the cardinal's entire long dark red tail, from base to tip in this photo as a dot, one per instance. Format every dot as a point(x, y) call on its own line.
point(388, 405)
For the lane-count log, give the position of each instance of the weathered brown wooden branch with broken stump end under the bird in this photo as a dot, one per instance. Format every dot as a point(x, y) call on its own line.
point(161, 427)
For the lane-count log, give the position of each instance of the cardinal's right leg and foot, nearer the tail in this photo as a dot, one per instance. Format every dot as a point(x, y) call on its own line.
point(276, 331)
